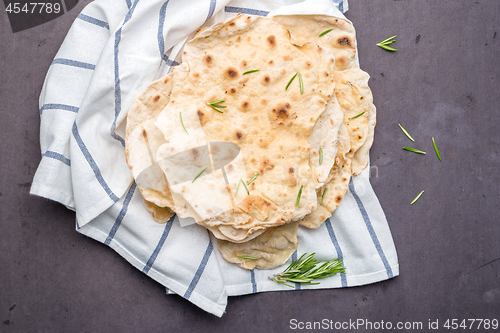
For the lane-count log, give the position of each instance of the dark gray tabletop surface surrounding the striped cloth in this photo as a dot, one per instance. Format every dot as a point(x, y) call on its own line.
point(444, 82)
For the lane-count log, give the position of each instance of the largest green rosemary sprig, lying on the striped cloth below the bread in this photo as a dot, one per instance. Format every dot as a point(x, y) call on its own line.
point(305, 270)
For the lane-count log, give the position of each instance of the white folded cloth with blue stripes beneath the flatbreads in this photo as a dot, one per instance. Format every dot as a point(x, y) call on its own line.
point(110, 55)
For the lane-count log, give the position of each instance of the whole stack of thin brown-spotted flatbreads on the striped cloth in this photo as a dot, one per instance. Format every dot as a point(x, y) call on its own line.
point(257, 131)
